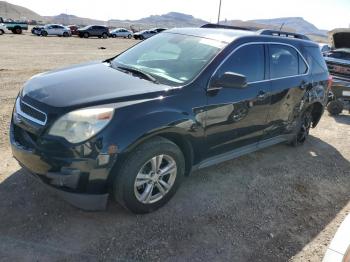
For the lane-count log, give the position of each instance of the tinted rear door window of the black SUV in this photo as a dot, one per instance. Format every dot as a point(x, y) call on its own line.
point(283, 61)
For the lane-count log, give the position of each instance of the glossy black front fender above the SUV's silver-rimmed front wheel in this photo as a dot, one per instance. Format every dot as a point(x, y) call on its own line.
point(163, 117)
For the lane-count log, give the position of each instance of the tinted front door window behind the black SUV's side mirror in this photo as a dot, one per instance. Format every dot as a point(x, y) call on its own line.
point(248, 61)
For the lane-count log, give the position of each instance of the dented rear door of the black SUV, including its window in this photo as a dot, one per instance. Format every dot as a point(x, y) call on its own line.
point(289, 80)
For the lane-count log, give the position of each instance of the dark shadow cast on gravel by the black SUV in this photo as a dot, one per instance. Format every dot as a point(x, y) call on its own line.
point(266, 206)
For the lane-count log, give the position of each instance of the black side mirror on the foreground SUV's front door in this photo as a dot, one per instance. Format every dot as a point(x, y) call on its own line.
point(229, 80)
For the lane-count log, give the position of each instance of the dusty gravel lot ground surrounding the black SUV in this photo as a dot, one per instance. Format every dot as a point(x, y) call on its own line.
point(278, 204)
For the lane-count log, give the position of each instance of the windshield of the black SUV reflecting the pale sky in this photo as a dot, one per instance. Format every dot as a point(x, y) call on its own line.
point(172, 59)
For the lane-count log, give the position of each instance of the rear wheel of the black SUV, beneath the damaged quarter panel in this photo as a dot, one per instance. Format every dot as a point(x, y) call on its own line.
point(303, 128)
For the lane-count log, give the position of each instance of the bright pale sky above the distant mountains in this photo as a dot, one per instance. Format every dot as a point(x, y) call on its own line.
point(325, 14)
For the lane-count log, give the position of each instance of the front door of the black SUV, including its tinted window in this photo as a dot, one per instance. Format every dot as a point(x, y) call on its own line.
point(237, 117)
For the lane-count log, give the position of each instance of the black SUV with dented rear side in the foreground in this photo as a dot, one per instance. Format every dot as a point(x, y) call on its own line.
point(135, 125)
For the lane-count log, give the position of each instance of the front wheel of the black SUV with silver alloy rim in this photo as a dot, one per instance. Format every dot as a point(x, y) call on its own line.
point(134, 197)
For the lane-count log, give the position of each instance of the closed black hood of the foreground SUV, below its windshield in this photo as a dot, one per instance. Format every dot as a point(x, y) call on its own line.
point(91, 83)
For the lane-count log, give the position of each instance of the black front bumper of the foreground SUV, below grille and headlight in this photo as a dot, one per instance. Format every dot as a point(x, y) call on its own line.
point(81, 181)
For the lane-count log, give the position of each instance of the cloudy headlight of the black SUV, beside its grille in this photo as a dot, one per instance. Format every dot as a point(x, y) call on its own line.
point(80, 125)
